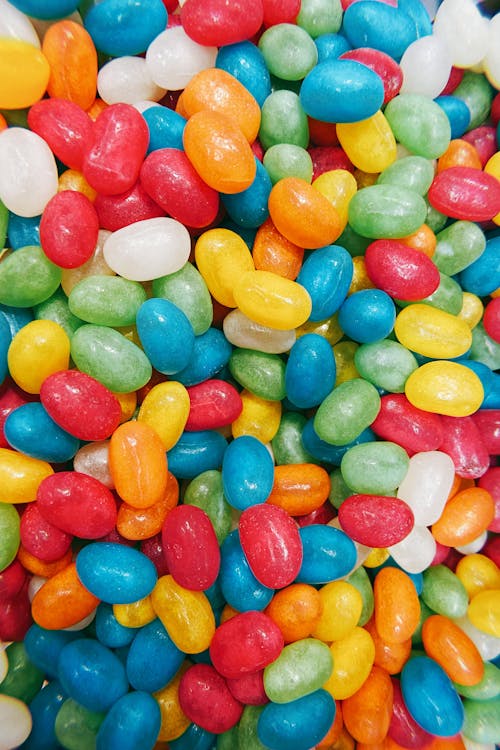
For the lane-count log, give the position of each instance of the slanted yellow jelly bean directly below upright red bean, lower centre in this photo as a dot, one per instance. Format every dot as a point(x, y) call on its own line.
point(186, 615)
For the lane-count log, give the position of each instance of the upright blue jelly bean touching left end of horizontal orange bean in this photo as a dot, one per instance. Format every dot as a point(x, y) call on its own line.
point(247, 472)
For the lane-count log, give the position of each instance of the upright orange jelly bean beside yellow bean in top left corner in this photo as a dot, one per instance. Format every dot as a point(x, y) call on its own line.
point(73, 63)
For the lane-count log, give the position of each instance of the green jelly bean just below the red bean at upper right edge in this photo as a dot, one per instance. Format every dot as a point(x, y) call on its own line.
point(458, 246)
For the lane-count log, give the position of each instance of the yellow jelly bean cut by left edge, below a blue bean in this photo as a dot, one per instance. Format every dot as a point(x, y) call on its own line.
point(20, 476)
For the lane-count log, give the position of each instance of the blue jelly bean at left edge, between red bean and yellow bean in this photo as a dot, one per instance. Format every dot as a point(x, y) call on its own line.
point(30, 430)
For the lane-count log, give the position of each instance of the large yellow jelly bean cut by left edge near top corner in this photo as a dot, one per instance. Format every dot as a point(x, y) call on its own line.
point(24, 74)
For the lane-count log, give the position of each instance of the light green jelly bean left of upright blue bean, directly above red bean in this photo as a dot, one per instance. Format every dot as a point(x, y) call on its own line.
point(109, 357)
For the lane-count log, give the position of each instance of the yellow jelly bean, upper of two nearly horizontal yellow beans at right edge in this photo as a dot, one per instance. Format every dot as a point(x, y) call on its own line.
point(432, 332)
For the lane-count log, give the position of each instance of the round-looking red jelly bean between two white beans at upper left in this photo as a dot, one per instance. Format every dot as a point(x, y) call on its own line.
point(68, 229)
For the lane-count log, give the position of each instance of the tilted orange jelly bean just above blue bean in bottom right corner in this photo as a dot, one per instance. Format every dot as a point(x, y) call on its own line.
point(447, 644)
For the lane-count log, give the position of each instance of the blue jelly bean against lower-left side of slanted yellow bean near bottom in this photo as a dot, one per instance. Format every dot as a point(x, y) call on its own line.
point(153, 658)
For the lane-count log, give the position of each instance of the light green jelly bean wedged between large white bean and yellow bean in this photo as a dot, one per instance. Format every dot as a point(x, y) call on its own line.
point(186, 288)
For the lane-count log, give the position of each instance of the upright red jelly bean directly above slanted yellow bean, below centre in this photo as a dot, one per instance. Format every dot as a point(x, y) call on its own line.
point(190, 547)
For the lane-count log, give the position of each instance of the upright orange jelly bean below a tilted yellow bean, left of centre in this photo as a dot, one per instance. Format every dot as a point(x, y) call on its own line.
point(138, 464)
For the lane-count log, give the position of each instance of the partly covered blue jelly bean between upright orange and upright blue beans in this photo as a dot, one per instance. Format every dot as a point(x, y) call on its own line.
point(196, 452)
